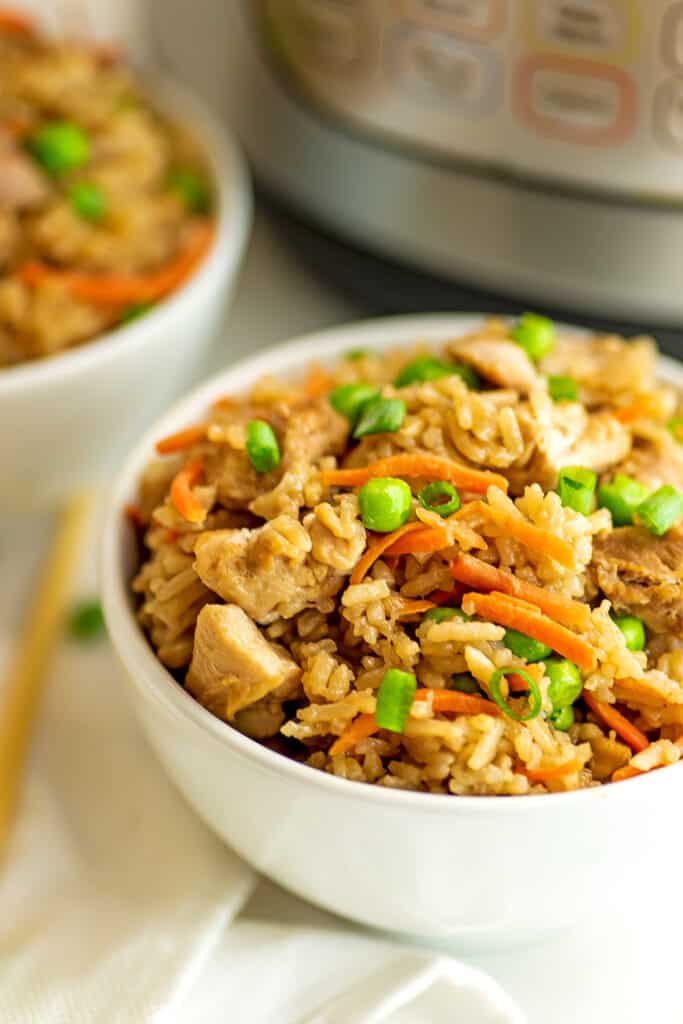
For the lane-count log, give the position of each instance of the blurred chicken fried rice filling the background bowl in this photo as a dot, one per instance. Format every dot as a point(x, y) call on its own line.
point(105, 205)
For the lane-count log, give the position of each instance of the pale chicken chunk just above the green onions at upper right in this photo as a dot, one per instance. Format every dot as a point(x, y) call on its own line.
point(576, 439)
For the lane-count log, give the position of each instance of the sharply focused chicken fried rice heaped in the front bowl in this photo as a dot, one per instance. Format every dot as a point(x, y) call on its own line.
point(458, 572)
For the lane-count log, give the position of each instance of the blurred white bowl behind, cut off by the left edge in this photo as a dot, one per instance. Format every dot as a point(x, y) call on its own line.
point(65, 419)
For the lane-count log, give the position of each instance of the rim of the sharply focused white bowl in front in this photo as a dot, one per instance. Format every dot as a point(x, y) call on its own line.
point(155, 682)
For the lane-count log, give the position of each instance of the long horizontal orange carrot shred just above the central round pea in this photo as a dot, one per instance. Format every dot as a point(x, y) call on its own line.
point(417, 465)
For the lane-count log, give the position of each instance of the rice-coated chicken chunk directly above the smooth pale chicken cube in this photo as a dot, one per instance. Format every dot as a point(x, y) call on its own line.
point(269, 572)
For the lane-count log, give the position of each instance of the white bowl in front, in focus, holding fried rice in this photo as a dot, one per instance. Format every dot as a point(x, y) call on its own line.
point(480, 870)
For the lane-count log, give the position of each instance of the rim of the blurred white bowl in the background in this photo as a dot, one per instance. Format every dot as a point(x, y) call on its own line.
point(233, 220)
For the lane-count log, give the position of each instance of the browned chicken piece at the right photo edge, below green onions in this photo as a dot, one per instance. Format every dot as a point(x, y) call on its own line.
point(643, 575)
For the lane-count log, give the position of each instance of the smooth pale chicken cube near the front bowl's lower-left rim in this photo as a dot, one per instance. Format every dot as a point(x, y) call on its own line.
point(234, 666)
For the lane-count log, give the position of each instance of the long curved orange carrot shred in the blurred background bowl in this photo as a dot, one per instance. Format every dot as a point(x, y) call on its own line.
point(121, 289)
